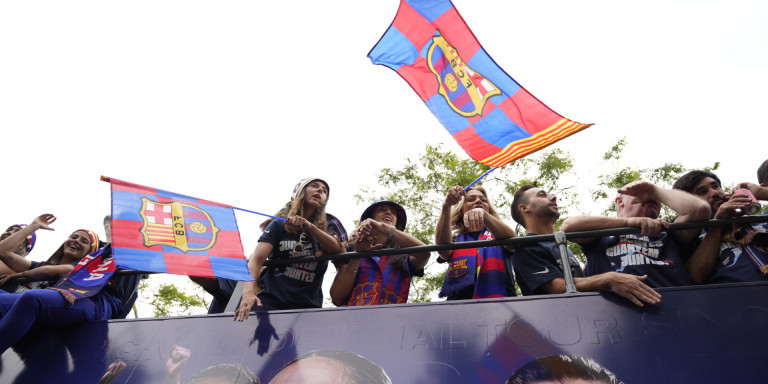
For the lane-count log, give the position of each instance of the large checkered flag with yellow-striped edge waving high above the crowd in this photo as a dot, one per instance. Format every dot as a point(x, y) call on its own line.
point(486, 111)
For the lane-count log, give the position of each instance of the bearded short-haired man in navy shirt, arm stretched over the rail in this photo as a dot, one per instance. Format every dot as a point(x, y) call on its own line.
point(538, 266)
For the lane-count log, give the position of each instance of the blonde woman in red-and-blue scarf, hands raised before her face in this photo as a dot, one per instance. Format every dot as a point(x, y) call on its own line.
point(474, 273)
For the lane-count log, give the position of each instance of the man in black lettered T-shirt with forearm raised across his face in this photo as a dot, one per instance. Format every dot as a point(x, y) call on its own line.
point(654, 252)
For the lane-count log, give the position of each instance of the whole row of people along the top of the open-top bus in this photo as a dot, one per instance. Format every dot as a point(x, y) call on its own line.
point(630, 265)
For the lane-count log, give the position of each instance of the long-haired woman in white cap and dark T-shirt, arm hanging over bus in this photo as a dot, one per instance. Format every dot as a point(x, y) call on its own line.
point(306, 231)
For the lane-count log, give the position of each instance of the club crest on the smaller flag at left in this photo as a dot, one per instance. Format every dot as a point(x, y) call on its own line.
point(182, 226)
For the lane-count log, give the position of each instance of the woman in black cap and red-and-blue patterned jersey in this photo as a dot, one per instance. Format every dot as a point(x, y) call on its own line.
point(375, 280)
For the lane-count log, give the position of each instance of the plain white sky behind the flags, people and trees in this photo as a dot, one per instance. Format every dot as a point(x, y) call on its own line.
point(236, 101)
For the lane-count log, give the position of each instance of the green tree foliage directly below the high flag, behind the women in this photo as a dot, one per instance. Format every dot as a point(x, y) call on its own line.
point(421, 184)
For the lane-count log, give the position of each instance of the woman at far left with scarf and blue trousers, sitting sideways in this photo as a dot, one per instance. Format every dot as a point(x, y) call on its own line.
point(87, 291)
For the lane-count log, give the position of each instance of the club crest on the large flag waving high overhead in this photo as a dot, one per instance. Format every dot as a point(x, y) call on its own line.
point(465, 90)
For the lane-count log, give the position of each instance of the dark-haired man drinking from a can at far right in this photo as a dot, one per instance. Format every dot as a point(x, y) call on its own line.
point(738, 253)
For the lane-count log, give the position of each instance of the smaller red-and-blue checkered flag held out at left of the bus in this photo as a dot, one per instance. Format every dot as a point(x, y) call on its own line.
point(160, 231)
